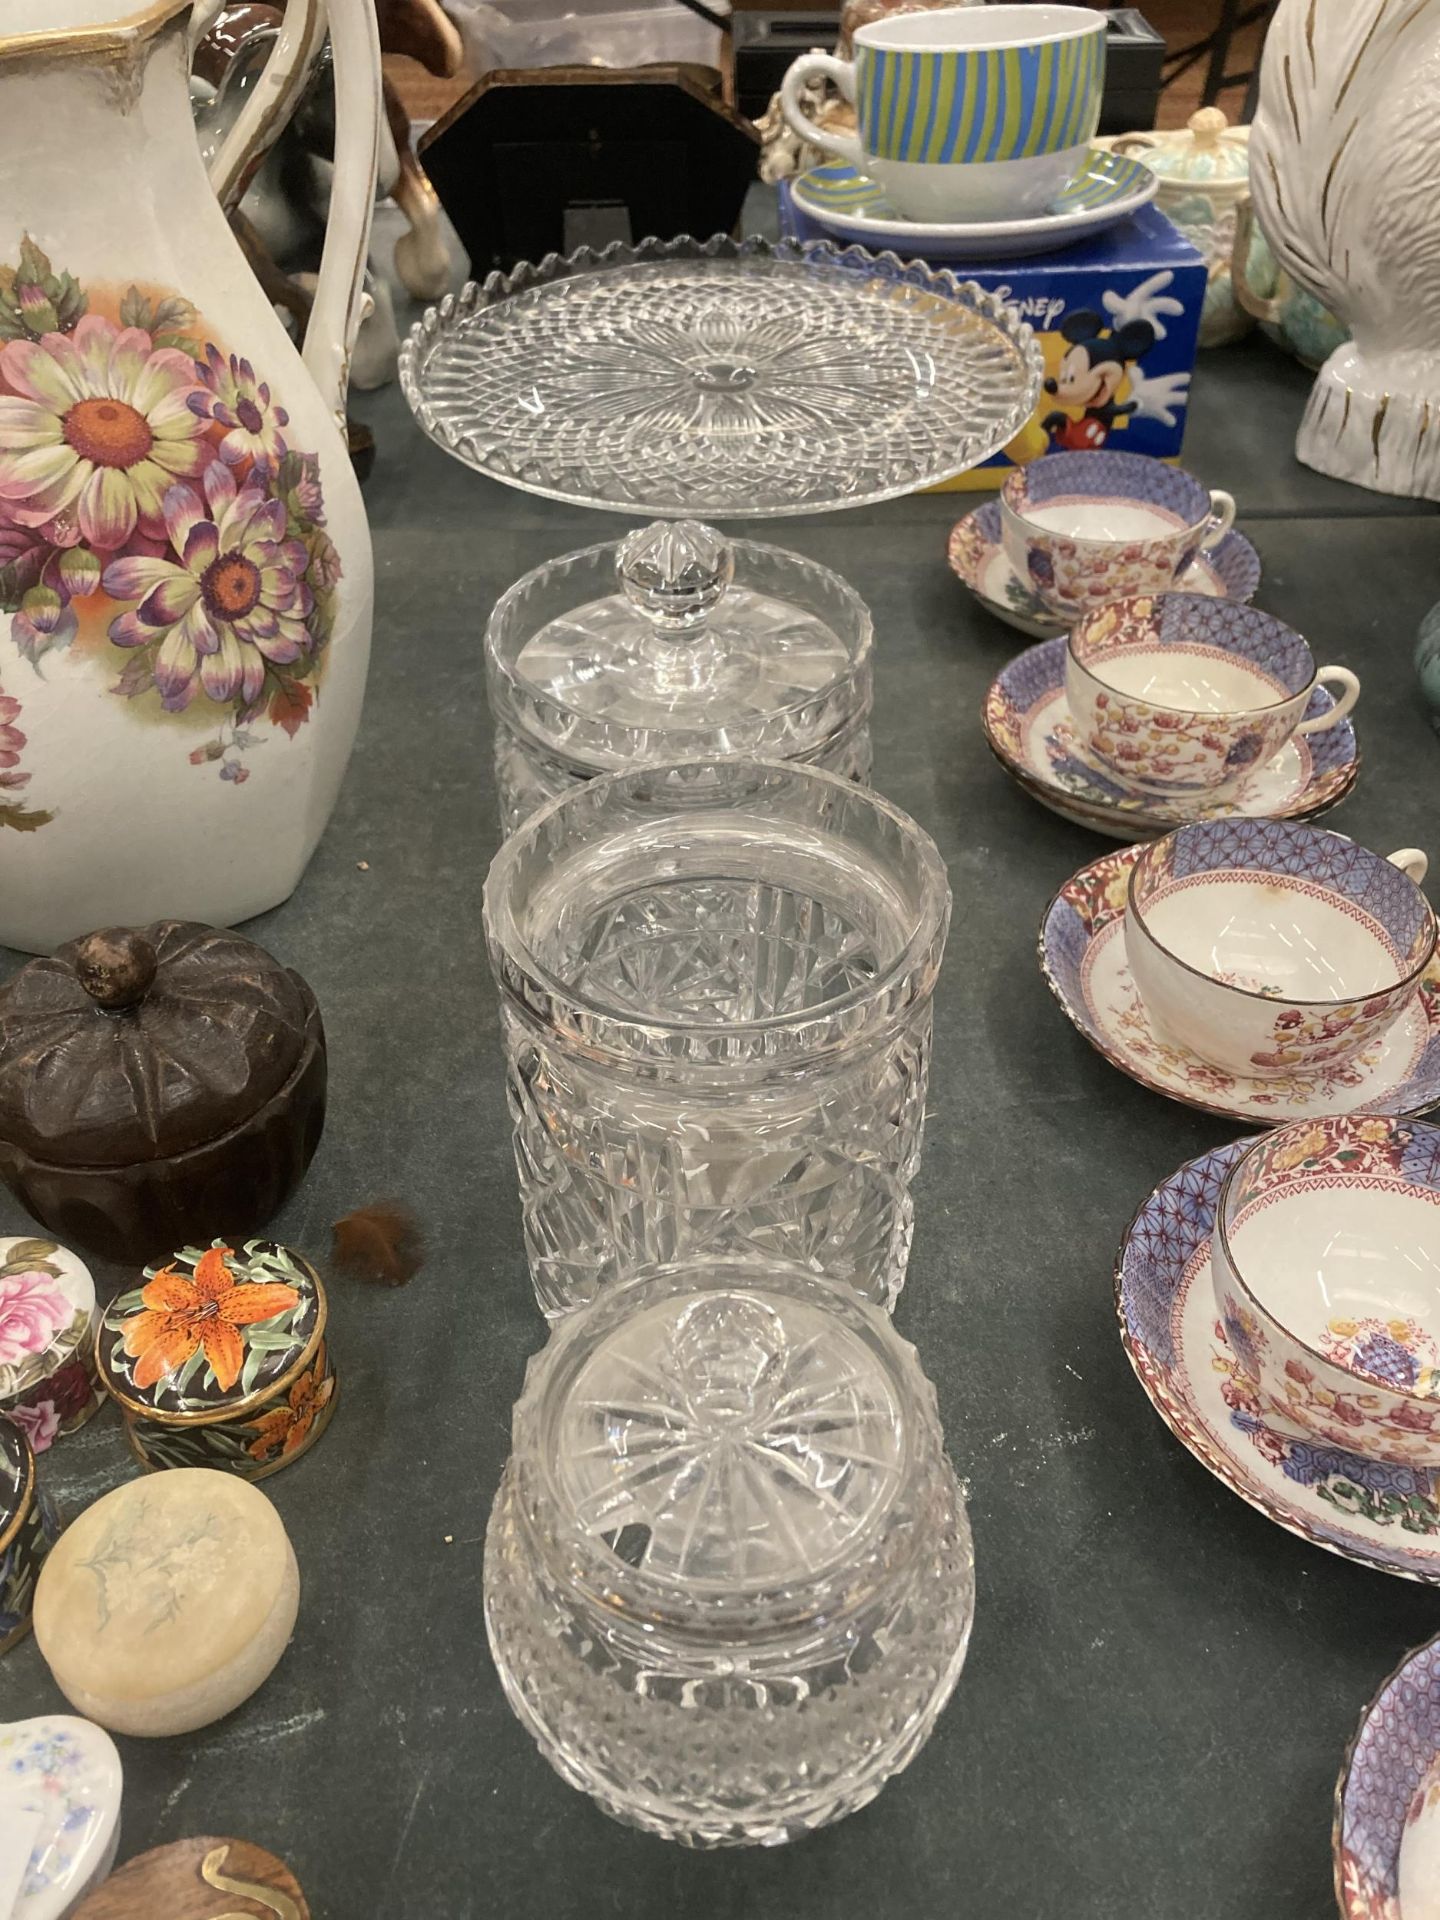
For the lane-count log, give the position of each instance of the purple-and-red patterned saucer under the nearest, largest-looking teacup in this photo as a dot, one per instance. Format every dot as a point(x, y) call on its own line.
point(1385, 1518)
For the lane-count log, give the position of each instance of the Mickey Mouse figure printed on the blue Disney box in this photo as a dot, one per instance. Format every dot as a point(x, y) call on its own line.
point(1101, 358)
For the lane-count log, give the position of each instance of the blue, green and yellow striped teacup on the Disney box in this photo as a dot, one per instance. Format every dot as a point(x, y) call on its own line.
point(967, 112)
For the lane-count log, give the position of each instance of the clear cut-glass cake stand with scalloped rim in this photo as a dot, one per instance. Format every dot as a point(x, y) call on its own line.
point(719, 379)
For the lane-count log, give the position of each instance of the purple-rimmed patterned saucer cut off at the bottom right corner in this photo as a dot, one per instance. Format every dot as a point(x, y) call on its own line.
point(1387, 1804)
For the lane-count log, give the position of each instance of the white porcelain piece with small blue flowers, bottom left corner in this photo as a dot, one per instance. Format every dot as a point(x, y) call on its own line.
point(60, 1787)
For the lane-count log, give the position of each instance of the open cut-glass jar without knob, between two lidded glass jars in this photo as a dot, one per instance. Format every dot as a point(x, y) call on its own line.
point(715, 992)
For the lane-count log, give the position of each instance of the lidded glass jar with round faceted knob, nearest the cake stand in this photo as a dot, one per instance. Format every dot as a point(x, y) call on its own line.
point(675, 644)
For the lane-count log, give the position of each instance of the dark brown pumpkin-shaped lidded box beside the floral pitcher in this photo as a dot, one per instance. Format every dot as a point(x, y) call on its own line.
point(158, 1088)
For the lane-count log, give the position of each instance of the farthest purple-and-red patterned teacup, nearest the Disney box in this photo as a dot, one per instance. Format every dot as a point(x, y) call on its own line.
point(1088, 529)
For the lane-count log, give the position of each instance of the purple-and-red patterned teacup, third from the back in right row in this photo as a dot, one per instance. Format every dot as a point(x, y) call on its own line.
point(1270, 948)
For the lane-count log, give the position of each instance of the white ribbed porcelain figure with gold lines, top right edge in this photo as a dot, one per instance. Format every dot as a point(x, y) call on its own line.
point(1345, 172)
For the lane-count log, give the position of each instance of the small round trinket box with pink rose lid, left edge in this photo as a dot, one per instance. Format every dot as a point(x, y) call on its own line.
point(47, 1339)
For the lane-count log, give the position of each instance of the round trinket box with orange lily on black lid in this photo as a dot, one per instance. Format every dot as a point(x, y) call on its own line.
point(222, 1358)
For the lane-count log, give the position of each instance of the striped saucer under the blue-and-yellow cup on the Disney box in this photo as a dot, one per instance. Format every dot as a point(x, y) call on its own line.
point(846, 203)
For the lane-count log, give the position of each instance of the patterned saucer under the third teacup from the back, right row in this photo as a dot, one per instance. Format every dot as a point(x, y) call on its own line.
point(1084, 961)
